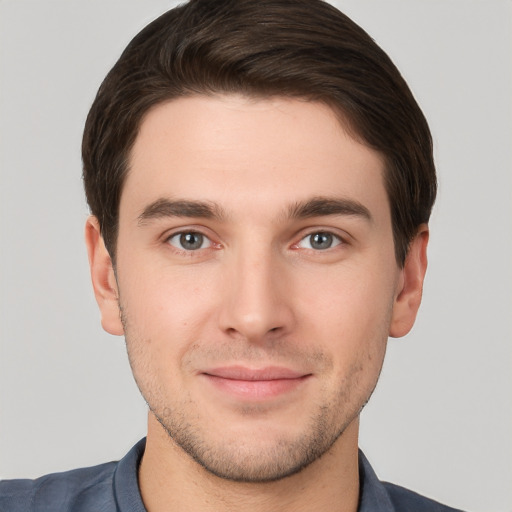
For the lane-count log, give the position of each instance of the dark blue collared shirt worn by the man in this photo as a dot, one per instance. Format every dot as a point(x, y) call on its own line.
point(113, 487)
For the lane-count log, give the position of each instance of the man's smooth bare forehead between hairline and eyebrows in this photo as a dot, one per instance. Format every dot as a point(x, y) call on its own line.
point(240, 152)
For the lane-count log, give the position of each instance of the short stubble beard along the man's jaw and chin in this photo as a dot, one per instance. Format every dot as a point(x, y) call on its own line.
point(240, 461)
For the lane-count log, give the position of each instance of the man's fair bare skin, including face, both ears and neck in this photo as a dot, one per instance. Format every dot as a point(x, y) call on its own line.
point(255, 347)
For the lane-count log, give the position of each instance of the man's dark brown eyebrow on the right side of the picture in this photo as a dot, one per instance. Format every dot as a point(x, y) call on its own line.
point(322, 206)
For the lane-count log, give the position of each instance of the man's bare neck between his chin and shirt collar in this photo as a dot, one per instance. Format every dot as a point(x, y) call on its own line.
point(170, 479)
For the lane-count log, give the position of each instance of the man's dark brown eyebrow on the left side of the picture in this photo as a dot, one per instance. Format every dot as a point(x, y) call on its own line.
point(162, 208)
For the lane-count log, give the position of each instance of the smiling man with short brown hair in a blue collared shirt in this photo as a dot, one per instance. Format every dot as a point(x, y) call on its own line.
point(260, 180)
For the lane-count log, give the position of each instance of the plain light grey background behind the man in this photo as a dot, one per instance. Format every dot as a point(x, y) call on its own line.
point(440, 421)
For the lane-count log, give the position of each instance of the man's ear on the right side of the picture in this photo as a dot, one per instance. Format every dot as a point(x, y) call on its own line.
point(410, 285)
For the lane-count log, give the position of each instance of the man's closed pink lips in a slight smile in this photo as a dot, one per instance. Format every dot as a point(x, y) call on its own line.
point(255, 384)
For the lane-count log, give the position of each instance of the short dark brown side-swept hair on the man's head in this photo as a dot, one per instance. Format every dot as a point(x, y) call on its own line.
point(296, 48)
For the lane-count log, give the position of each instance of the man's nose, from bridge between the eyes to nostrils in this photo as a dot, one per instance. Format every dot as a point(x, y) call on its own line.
point(257, 306)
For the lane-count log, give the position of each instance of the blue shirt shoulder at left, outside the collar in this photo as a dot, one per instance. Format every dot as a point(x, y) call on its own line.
point(74, 490)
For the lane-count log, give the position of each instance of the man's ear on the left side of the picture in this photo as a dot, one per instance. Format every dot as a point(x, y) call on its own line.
point(103, 278)
